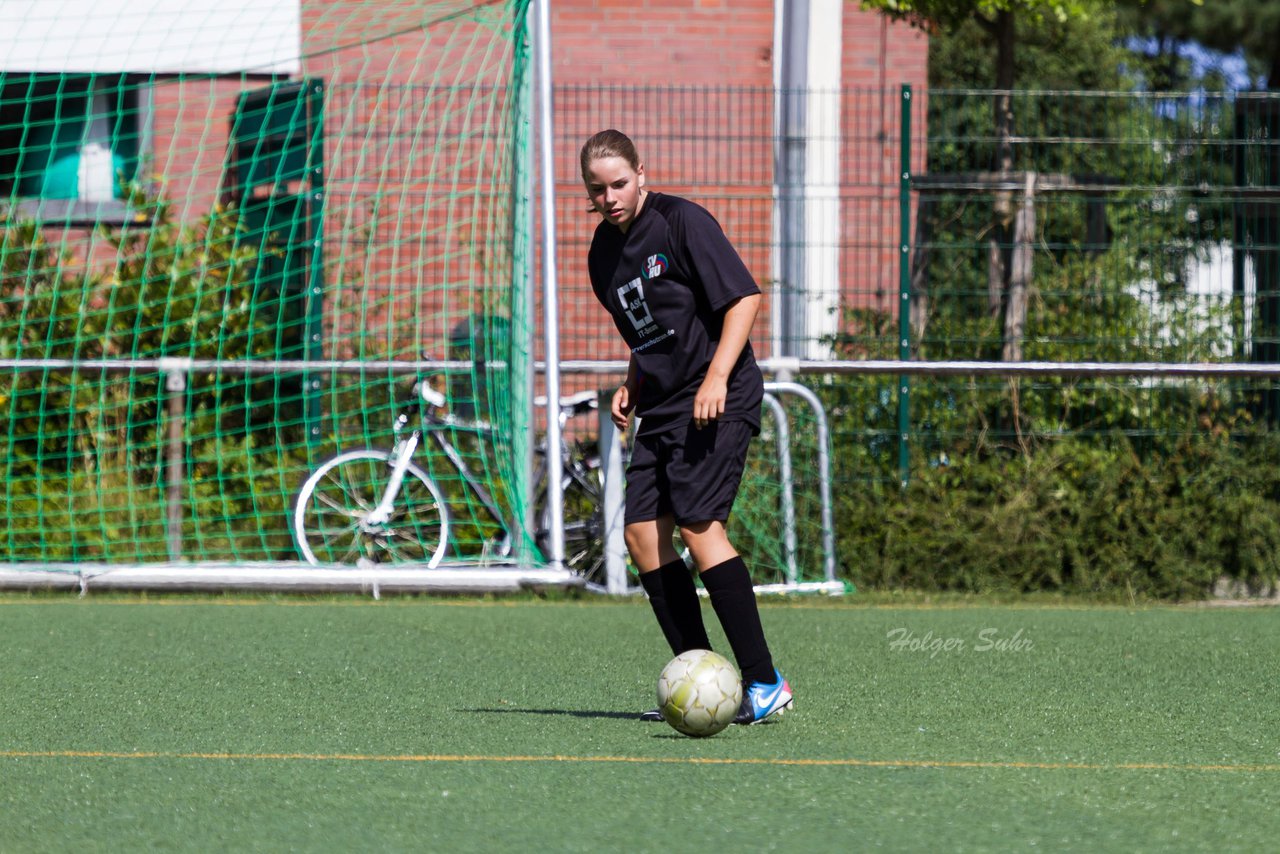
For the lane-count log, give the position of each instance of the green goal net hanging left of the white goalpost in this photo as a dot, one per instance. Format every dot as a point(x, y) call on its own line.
point(294, 185)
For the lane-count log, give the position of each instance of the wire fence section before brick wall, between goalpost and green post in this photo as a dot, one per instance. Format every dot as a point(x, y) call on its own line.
point(815, 217)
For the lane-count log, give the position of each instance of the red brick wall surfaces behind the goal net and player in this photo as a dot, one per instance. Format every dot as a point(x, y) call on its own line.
point(703, 117)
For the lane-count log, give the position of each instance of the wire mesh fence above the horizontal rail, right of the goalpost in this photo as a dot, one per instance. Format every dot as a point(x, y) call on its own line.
point(1169, 200)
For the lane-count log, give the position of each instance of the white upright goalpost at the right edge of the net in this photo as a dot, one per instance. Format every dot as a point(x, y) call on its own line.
point(551, 300)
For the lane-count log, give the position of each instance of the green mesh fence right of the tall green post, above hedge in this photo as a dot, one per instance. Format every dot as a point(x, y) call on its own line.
point(1114, 227)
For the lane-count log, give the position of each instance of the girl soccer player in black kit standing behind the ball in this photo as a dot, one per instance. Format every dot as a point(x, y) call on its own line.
point(684, 303)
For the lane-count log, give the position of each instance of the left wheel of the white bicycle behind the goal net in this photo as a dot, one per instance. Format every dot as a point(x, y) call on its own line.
point(332, 510)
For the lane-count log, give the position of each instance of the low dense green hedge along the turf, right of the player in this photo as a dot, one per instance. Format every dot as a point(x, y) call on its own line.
point(1075, 517)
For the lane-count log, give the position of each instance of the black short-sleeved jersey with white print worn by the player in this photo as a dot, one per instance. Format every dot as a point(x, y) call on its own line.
point(668, 282)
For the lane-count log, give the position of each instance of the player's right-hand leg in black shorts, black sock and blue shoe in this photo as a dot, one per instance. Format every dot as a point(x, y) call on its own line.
point(706, 478)
